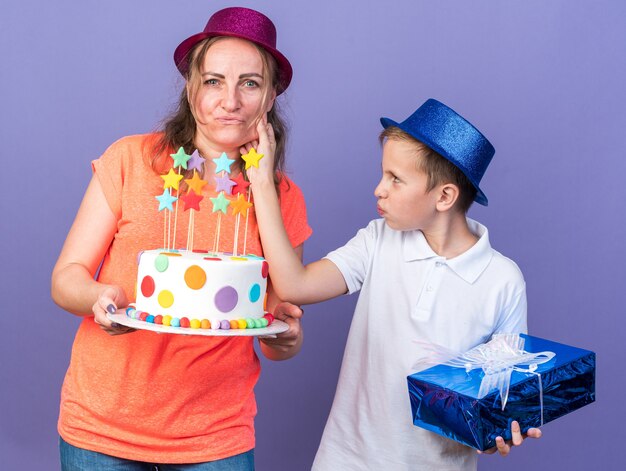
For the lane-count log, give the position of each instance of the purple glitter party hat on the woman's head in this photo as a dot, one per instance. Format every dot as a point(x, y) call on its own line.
point(238, 22)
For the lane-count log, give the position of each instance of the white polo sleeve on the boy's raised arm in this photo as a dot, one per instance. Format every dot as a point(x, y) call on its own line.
point(355, 258)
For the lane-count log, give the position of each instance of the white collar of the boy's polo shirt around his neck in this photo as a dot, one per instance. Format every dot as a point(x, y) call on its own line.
point(469, 265)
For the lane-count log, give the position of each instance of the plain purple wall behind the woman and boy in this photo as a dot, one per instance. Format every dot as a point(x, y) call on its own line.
point(543, 79)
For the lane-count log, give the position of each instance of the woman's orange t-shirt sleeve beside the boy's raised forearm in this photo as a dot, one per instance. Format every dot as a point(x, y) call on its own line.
point(293, 210)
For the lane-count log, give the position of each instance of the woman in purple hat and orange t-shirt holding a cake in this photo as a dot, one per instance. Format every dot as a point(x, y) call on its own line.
point(139, 400)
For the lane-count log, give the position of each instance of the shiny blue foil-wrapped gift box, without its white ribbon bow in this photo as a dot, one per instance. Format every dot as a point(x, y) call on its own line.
point(444, 399)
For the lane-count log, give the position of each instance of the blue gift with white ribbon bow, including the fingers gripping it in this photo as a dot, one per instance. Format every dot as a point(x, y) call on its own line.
point(512, 384)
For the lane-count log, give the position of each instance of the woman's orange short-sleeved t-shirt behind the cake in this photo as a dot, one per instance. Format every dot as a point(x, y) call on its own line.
point(153, 397)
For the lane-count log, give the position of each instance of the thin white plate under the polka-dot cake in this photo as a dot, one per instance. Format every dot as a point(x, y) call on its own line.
point(276, 327)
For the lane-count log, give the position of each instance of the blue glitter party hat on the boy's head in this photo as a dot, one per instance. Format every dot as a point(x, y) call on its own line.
point(453, 137)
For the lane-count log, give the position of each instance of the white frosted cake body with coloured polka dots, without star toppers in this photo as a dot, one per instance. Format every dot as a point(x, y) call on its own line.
point(216, 287)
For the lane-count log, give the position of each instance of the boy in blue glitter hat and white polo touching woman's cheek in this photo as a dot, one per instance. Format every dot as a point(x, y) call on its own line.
point(425, 272)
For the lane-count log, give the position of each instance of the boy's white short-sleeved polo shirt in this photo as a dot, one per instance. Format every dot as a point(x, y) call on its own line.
point(409, 293)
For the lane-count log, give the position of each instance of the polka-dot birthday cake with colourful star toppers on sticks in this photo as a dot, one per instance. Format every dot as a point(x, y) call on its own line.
point(199, 289)
